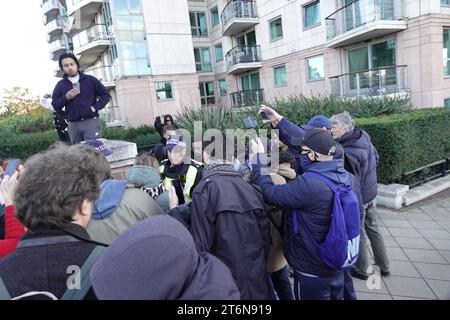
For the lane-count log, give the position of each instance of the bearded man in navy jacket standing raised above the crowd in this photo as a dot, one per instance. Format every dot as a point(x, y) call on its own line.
point(83, 96)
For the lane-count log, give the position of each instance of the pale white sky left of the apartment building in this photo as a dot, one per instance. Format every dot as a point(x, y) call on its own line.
point(24, 50)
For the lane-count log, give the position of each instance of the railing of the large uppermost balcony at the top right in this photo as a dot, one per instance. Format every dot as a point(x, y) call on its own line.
point(360, 12)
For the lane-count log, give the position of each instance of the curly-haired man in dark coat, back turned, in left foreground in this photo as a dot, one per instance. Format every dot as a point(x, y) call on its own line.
point(54, 201)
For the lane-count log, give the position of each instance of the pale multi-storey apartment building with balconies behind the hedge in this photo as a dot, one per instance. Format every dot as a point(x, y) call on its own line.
point(157, 56)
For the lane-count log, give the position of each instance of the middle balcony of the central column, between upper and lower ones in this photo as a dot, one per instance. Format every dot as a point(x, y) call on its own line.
point(242, 59)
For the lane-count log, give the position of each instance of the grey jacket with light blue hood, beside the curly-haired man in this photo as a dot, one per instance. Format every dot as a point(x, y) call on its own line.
point(117, 209)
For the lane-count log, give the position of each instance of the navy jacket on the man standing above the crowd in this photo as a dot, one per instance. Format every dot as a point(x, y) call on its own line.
point(92, 94)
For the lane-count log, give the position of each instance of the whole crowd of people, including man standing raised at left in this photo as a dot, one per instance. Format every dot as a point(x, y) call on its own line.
point(225, 227)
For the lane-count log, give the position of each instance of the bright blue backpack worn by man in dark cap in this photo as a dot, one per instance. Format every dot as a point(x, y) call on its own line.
point(340, 248)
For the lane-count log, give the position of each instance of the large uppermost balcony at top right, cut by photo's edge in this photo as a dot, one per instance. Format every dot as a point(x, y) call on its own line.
point(364, 20)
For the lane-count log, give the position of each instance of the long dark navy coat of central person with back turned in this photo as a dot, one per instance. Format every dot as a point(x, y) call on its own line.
point(228, 220)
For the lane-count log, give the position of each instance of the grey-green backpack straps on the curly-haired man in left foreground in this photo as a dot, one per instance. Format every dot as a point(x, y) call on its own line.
point(69, 294)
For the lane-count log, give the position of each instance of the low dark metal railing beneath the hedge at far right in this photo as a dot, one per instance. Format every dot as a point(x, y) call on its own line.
point(426, 173)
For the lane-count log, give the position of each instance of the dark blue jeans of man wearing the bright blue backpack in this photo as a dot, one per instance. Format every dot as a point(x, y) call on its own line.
point(317, 288)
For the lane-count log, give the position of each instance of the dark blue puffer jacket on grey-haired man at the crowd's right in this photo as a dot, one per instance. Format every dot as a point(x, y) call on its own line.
point(357, 143)
